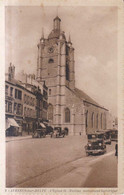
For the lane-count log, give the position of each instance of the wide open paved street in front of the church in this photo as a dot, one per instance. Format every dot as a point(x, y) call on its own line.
point(58, 162)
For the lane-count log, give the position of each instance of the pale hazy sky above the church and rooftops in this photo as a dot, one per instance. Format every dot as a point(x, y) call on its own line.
point(93, 33)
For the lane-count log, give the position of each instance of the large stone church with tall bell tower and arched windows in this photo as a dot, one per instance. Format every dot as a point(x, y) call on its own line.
point(68, 106)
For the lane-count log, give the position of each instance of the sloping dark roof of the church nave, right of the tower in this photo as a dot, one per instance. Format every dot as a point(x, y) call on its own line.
point(83, 96)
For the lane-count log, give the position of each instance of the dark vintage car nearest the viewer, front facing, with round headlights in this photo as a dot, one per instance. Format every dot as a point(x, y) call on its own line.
point(96, 144)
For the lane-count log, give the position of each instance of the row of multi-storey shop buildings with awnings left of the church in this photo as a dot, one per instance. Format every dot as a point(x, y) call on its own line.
point(25, 103)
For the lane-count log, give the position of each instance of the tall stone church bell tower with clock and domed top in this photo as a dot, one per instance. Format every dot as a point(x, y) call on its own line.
point(55, 66)
